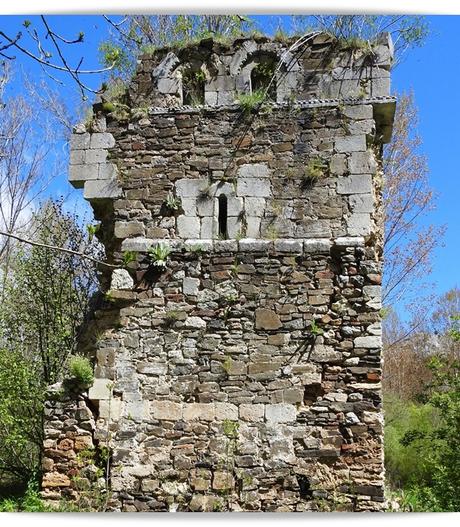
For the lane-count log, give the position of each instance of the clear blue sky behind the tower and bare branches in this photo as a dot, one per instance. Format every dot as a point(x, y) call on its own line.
point(431, 71)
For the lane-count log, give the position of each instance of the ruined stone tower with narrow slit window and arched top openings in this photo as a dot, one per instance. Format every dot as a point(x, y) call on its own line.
point(237, 353)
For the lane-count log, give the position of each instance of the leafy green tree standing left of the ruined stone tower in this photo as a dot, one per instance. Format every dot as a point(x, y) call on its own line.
point(45, 302)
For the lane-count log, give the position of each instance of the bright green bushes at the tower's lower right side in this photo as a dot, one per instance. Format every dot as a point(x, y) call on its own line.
point(422, 444)
